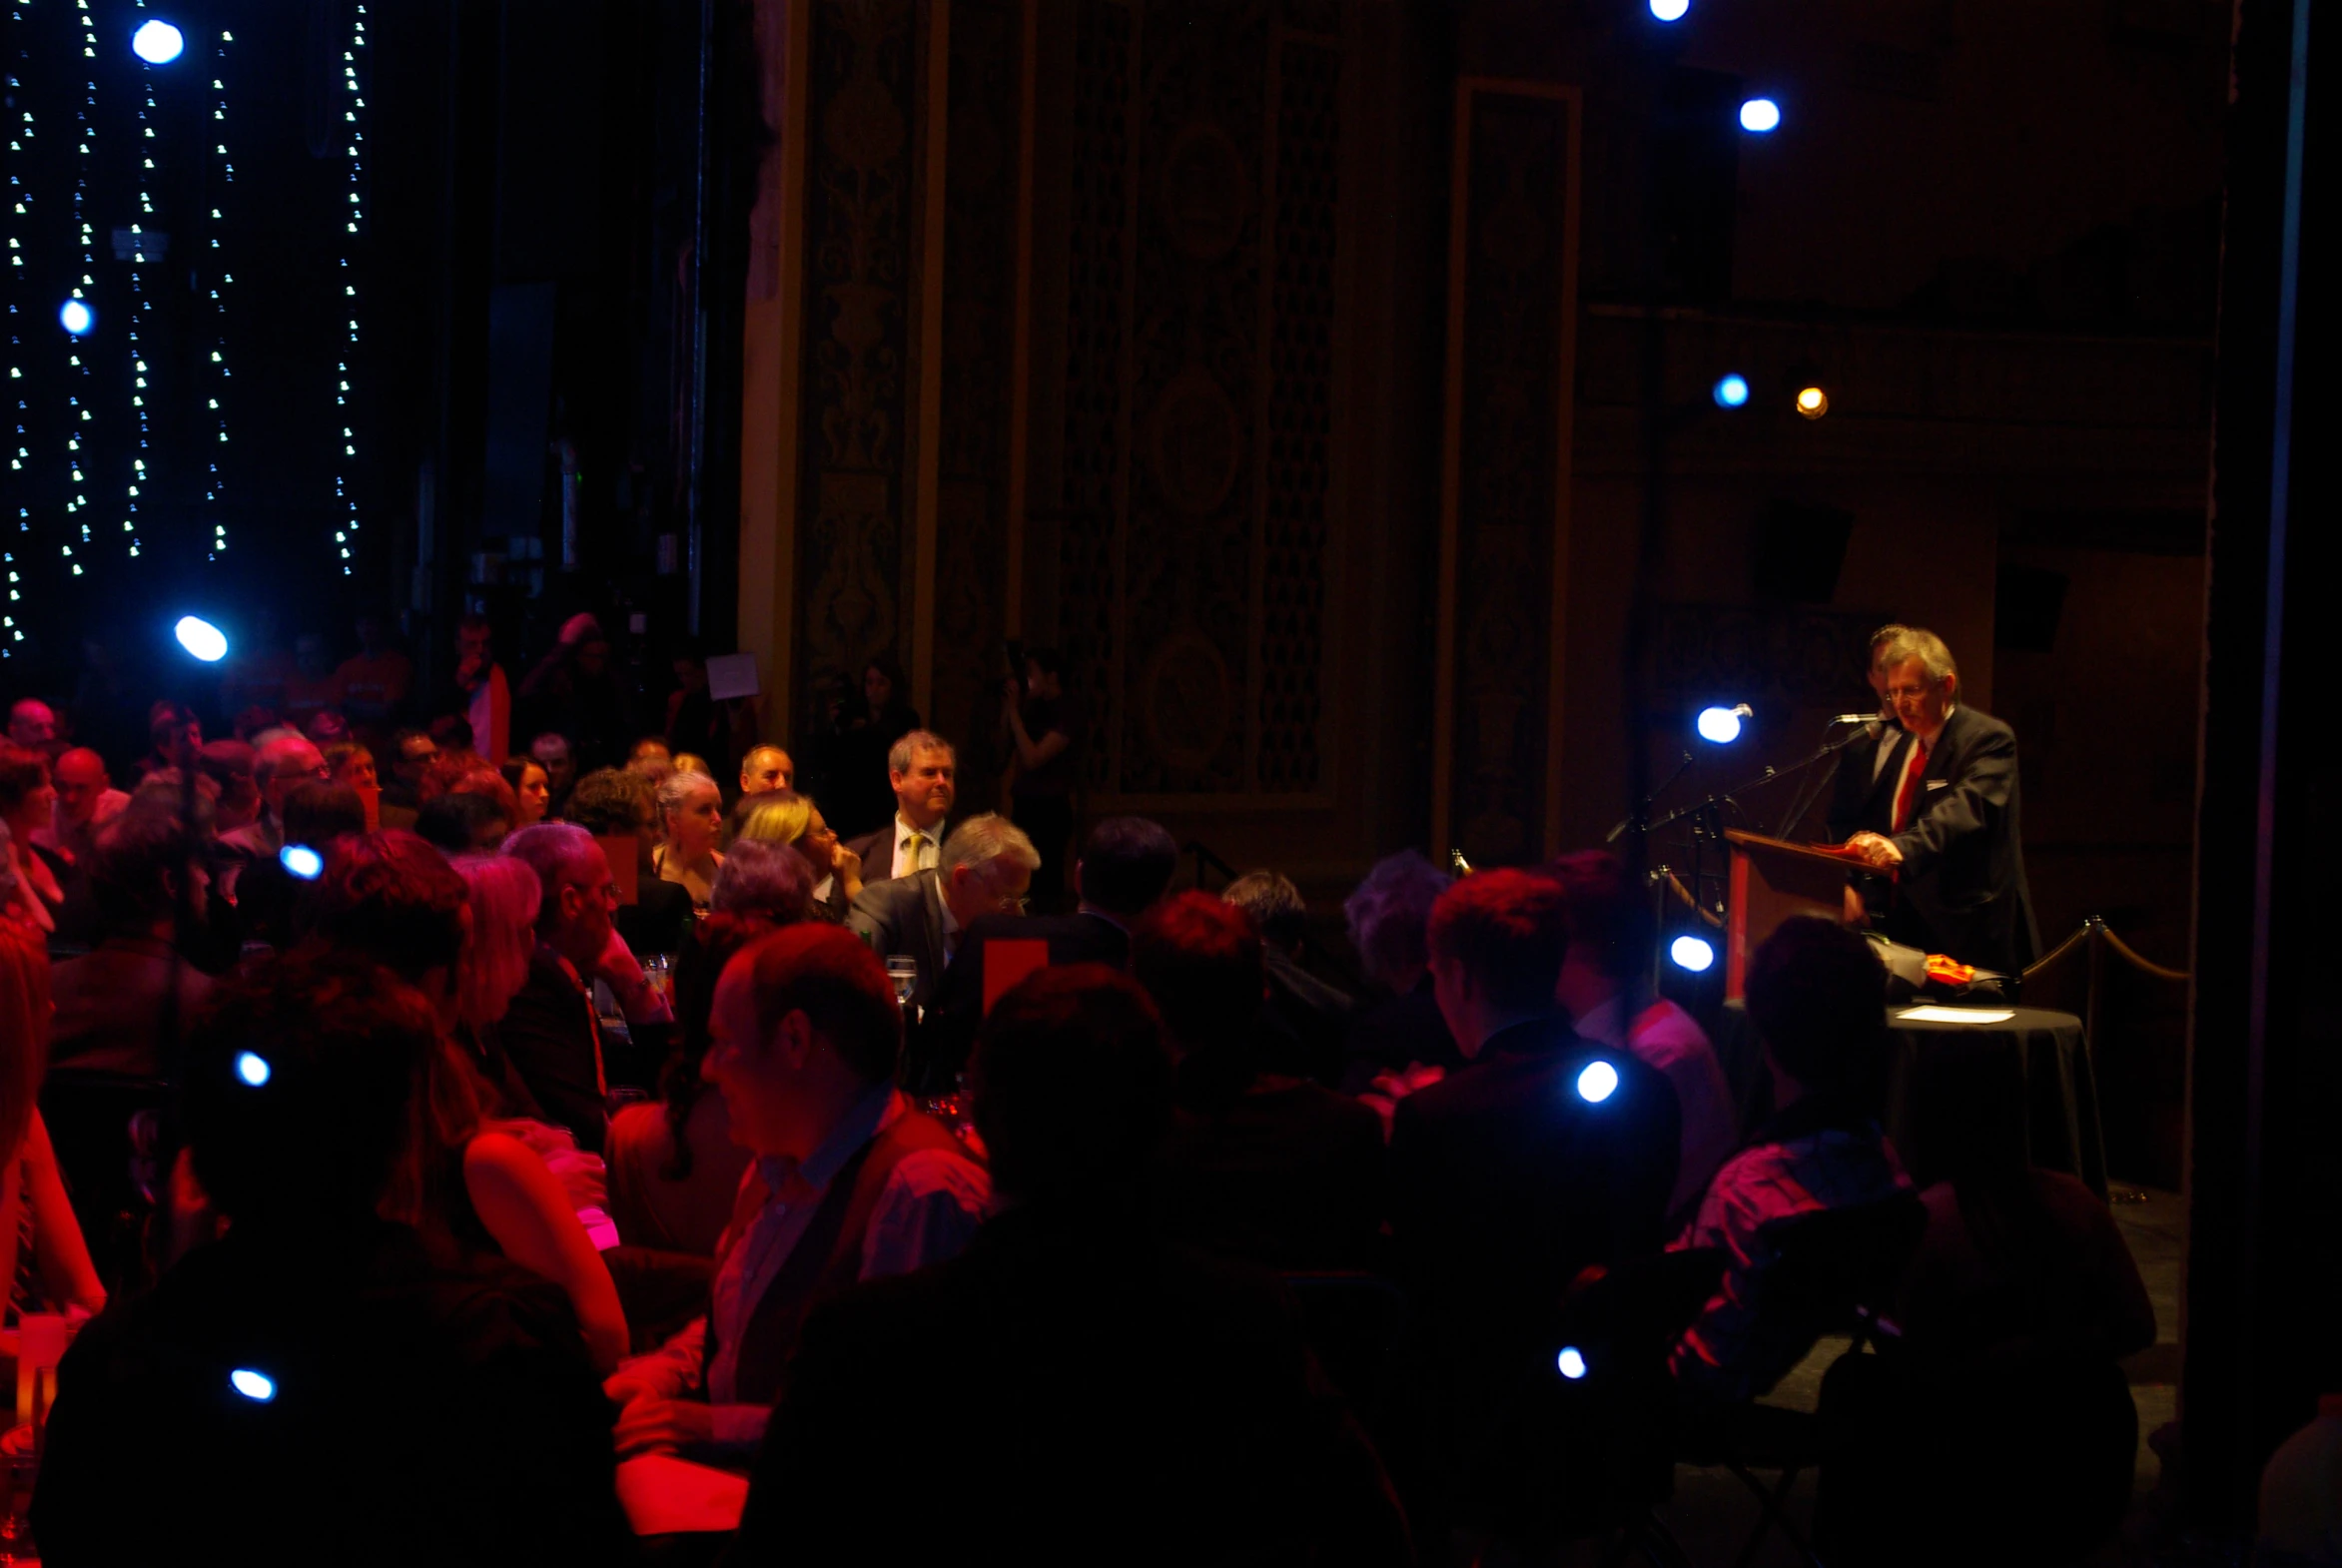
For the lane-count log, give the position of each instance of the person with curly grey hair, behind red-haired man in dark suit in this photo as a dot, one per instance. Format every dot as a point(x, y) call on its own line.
point(1402, 1043)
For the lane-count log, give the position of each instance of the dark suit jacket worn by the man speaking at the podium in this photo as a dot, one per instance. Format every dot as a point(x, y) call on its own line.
point(1964, 879)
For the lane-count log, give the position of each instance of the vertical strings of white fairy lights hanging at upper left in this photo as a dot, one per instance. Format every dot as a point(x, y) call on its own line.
point(107, 451)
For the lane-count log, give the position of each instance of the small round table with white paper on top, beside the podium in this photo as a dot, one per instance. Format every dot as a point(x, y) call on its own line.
point(2057, 1108)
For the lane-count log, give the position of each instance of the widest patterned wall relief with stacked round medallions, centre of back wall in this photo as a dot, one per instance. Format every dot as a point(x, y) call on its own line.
point(1198, 394)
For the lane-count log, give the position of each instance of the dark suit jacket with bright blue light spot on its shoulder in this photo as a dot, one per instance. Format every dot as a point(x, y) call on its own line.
point(1505, 1185)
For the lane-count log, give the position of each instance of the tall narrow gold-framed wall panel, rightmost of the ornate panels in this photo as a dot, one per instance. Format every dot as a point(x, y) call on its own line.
point(1505, 530)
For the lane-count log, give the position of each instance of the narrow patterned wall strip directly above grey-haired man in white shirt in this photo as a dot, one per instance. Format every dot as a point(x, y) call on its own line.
point(980, 319)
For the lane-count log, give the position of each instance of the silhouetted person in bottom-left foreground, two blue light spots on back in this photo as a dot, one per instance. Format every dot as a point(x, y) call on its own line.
point(399, 1403)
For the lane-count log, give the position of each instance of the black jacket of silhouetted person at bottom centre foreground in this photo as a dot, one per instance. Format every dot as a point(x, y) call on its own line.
point(1121, 1403)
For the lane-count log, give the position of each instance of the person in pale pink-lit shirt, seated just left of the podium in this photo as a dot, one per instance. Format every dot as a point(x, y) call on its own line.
point(1610, 1003)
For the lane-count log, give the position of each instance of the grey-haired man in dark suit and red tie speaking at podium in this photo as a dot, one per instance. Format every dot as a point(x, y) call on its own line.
point(1954, 830)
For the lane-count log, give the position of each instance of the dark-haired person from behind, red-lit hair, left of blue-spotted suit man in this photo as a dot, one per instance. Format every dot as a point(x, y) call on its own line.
point(1261, 1167)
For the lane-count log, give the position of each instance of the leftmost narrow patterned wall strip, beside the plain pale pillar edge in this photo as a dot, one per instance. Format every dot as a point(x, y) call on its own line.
point(858, 364)
